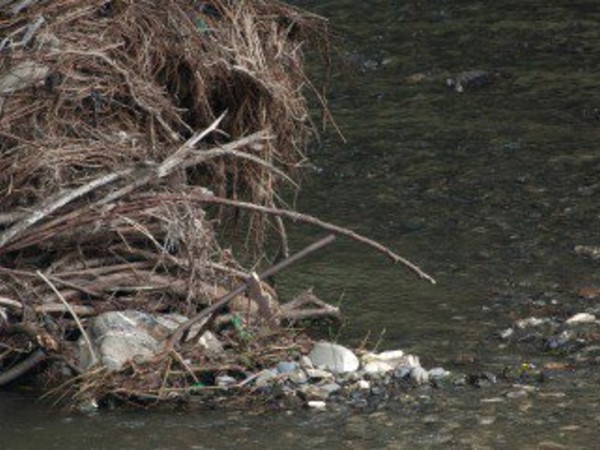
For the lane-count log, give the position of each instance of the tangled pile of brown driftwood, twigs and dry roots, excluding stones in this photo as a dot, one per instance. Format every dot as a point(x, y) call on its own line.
point(131, 133)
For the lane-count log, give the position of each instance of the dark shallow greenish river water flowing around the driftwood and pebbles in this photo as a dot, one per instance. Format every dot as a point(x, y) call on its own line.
point(488, 190)
